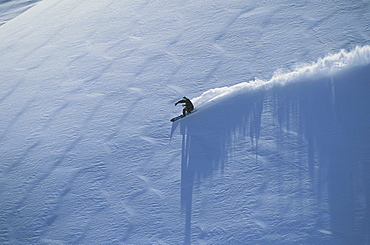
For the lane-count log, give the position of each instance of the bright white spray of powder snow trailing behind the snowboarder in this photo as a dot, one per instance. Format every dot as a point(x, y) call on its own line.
point(326, 66)
